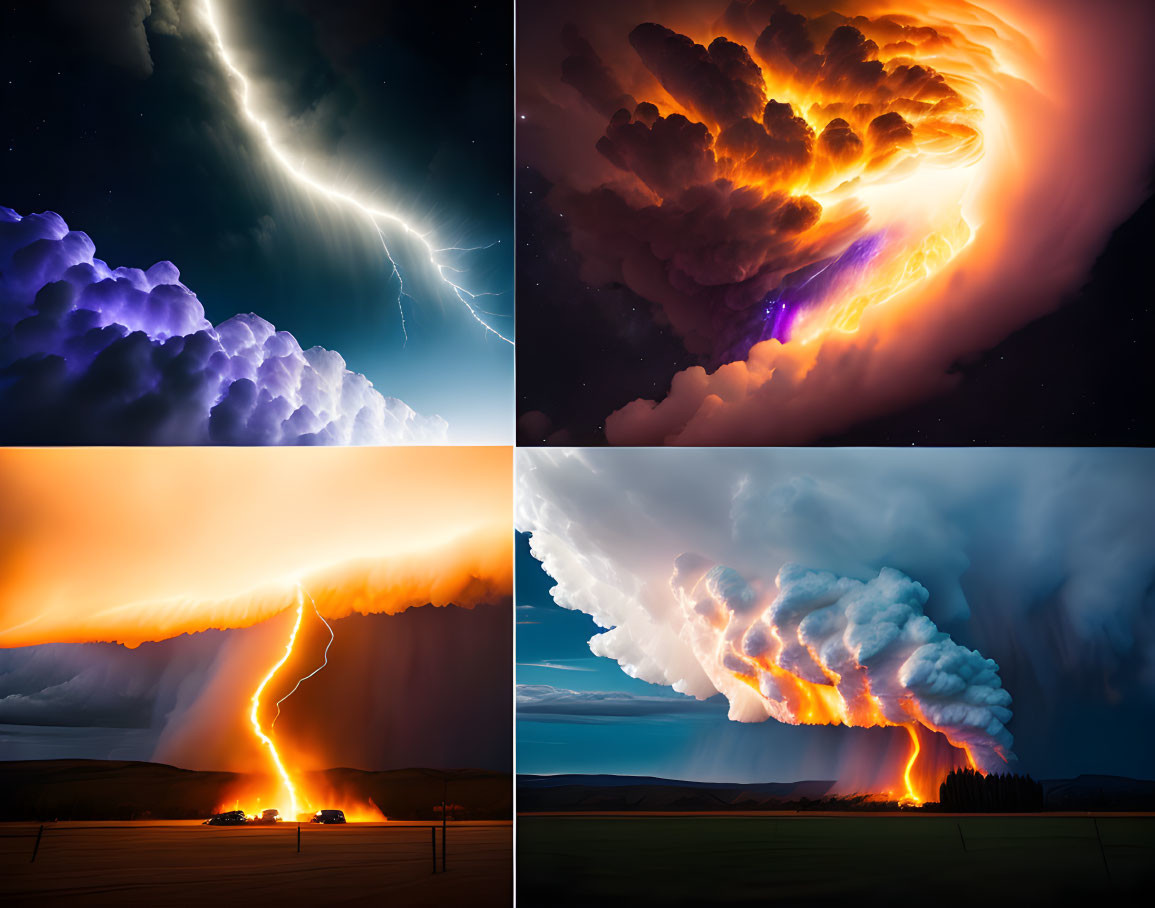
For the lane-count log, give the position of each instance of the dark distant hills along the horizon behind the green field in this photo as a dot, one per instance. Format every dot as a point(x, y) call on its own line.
point(631, 793)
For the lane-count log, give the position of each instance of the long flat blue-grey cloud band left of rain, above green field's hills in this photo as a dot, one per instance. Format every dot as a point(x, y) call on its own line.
point(543, 703)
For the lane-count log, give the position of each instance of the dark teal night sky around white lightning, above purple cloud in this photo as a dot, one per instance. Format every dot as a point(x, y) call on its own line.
point(131, 133)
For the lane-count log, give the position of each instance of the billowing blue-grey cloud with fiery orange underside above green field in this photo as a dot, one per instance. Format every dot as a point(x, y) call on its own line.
point(833, 650)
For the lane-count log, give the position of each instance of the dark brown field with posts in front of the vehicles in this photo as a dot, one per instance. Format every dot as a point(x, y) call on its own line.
point(177, 865)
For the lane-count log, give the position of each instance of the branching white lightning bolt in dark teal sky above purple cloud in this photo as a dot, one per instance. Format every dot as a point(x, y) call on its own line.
point(375, 215)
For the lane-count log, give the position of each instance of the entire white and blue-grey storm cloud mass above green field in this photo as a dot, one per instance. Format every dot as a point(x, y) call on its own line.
point(814, 586)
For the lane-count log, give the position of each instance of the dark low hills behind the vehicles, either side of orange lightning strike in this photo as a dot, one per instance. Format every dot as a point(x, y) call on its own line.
point(122, 791)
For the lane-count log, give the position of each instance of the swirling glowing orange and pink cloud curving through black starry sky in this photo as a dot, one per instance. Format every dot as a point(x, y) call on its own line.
point(994, 206)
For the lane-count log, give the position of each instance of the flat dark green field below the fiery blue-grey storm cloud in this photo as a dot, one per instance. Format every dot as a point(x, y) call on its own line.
point(834, 860)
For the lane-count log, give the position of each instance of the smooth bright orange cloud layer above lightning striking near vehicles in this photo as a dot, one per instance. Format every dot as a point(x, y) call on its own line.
point(140, 545)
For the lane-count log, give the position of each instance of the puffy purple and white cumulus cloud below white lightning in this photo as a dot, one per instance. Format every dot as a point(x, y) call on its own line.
point(122, 356)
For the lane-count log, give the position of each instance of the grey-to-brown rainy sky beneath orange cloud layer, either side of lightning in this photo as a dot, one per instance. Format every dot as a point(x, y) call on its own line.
point(177, 701)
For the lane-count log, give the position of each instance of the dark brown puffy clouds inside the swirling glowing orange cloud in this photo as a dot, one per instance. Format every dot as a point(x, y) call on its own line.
point(712, 250)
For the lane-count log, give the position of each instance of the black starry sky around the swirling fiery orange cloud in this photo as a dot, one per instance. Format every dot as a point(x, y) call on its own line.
point(588, 351)
